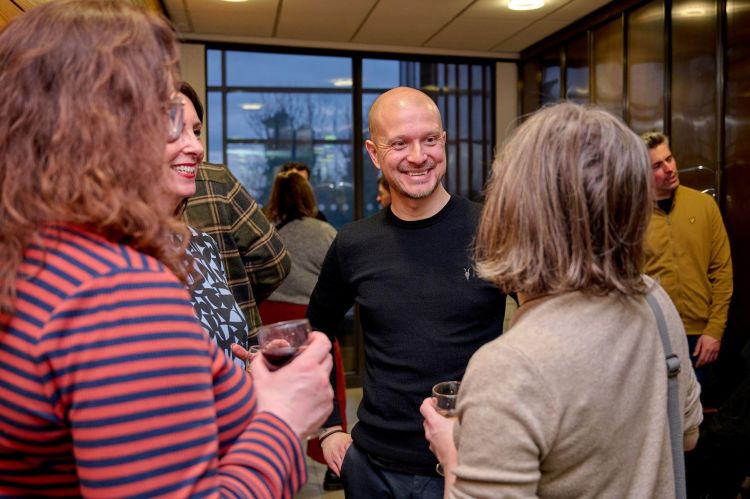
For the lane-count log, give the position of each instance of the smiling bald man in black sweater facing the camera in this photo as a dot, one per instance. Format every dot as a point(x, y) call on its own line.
point(423, 310)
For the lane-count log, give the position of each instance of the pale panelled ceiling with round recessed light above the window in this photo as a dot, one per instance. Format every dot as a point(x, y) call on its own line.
point(482, 28)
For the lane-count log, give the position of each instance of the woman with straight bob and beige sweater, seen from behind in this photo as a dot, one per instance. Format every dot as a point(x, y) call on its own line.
point(571, 401)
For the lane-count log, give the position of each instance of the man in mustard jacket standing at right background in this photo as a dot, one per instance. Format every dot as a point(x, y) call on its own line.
point(689, 254)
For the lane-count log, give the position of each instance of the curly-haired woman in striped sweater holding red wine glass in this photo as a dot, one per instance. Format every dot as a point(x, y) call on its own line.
point(109, 385)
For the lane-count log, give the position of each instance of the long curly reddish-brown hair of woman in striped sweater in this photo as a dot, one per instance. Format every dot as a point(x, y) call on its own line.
point(83, 126)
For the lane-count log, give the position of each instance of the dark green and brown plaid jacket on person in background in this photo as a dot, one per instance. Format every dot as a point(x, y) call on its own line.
point(253, 255)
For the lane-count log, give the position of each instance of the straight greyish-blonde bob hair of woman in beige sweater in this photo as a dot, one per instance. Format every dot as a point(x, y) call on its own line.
point(567, 206)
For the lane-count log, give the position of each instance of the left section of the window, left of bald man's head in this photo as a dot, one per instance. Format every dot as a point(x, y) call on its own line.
point(266, 109)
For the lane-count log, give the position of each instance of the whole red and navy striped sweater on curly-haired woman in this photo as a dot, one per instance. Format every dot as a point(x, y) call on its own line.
point(109, 387)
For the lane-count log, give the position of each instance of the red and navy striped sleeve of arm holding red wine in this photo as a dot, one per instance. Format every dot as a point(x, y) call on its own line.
point(135, 376)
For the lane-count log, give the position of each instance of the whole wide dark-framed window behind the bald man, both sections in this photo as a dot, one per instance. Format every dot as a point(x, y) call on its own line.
point(268, 108)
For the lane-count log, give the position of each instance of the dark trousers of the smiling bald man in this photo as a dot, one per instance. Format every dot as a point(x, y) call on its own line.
point(364, 480)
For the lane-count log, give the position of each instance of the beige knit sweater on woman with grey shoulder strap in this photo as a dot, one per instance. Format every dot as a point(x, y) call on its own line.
point(572, 403)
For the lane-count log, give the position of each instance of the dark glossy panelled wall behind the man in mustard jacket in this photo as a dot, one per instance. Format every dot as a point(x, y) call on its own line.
point(687, 73)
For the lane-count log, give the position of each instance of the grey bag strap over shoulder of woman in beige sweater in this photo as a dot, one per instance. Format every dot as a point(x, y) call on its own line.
point(673, 400)
